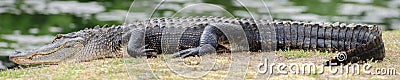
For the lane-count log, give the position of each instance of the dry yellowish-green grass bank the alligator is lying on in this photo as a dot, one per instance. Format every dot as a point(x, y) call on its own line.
point(223, 66)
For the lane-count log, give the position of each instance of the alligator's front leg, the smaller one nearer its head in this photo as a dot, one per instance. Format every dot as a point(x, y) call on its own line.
point(136, 45)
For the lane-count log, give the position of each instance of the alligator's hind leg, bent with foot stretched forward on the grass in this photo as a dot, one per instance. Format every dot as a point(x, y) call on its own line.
point(208, 43)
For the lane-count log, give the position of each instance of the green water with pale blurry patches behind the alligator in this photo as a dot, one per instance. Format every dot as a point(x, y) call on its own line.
point(28, 24)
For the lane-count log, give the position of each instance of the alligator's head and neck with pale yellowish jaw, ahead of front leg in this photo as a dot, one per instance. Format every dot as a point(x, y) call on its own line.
point(83, 45)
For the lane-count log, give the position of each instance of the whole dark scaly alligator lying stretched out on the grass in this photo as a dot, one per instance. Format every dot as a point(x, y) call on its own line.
point(196, 36)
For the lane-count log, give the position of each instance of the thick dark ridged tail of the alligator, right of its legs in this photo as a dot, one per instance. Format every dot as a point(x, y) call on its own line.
point(360, 42)
